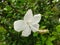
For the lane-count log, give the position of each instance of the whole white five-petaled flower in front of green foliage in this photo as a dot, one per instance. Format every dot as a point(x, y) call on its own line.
point(28, 24)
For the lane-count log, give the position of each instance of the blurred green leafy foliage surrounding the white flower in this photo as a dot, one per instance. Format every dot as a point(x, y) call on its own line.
point(12, 10)
